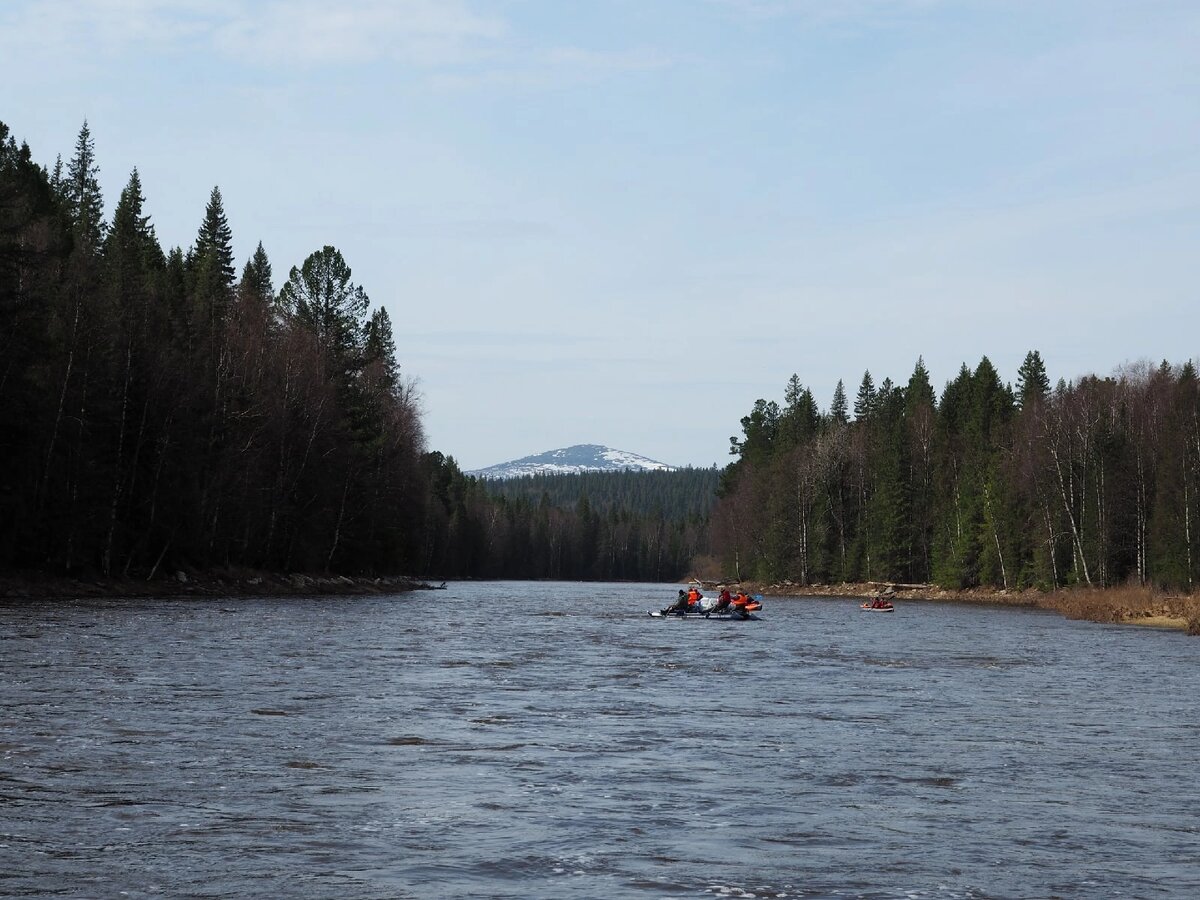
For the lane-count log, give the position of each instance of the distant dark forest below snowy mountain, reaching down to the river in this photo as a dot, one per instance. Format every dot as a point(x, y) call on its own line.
point(479, 530)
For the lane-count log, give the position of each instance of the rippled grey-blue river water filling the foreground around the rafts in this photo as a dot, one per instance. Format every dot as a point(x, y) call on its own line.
point(553, 741)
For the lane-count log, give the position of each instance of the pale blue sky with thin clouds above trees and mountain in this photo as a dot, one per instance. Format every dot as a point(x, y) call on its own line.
point(622, 223)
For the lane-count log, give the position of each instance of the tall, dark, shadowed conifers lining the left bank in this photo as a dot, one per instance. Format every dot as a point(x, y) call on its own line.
point(158, 411)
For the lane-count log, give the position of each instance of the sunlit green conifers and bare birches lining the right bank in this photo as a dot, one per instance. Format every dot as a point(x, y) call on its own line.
point(1095, 482)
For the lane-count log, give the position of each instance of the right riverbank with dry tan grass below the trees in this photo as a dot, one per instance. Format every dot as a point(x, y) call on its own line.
point(1124, 605)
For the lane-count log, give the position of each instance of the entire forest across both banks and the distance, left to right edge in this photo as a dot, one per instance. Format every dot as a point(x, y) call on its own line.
point(161, 411)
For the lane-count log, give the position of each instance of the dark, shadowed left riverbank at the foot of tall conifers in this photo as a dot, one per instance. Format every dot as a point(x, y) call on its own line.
point(40, 586)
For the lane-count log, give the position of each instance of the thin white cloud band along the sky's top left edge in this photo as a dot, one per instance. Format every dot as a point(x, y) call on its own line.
point(455, 45)
